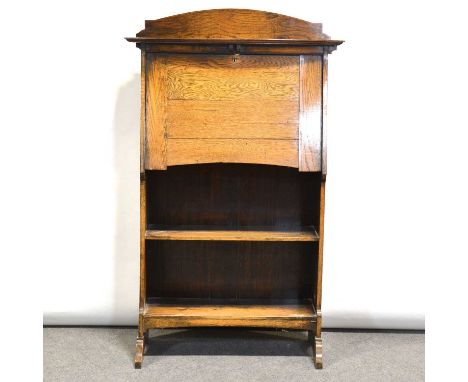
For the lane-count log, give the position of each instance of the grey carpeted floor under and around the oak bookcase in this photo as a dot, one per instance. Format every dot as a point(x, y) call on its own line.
point(106, 354)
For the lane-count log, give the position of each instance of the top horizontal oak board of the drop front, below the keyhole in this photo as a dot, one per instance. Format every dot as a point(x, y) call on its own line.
point(205, 77)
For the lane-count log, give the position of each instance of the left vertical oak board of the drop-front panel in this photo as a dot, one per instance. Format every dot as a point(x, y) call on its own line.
point(156, 100)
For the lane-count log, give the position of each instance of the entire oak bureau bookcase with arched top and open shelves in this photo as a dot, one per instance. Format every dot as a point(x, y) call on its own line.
point(233, 172)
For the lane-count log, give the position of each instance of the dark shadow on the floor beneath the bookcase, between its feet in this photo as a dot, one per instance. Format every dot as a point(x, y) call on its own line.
point(216, 341)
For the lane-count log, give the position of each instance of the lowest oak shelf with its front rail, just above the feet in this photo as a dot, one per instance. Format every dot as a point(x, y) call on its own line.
point(177, 313)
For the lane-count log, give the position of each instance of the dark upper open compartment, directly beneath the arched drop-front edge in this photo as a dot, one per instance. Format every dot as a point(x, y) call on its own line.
point(234, 196)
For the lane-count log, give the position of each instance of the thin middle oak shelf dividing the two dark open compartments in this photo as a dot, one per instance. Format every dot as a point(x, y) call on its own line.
point(230, 233)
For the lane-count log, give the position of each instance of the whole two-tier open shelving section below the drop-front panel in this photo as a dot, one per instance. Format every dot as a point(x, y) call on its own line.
point(231, 245)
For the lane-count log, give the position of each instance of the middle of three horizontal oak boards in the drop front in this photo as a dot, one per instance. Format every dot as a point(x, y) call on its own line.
point(232, 119)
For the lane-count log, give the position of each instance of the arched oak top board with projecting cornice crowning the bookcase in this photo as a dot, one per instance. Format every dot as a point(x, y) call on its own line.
point(233, 26)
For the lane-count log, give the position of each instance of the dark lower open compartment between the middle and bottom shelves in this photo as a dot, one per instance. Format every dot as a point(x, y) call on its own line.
point(233, 270)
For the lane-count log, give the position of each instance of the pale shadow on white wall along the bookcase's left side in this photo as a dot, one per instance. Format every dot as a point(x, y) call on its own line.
point(127, 218)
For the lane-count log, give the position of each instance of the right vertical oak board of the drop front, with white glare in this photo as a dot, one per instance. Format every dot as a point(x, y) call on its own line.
point(310, 121)
